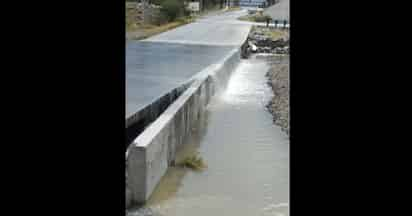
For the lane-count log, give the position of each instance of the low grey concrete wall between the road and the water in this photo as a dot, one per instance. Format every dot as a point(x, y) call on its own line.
point(154, 150)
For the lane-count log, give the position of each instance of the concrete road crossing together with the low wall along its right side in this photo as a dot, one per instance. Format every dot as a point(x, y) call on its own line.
point(166, 93)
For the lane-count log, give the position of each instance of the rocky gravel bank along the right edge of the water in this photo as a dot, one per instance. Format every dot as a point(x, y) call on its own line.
point(275, 42)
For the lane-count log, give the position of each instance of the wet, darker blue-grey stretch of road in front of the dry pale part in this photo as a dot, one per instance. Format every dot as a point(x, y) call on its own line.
point(153, 69)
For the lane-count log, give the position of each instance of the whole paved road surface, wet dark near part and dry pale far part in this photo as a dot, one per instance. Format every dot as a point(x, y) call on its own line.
point(159, 64)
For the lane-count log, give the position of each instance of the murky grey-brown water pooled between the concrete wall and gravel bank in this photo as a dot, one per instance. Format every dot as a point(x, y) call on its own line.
point(247, 156)
